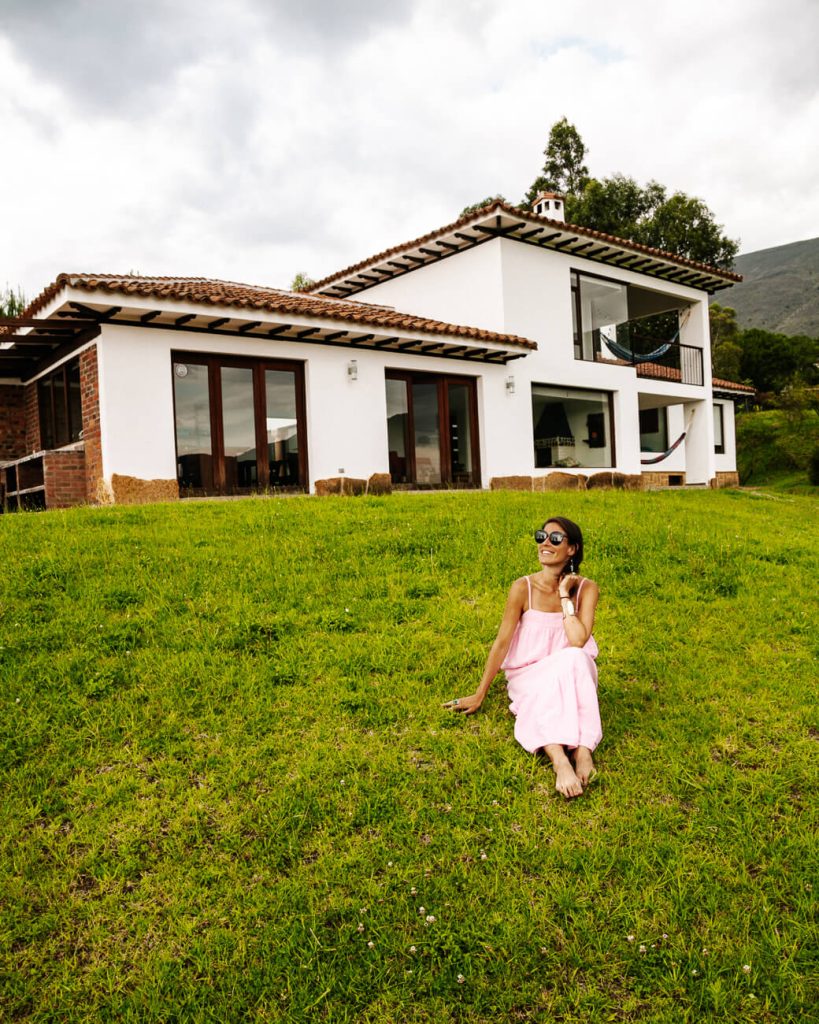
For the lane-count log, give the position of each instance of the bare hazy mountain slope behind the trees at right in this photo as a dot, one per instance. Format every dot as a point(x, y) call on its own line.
point(781, 291)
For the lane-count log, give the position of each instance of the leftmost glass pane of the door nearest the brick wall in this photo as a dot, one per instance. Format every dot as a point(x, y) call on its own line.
point(192, 395)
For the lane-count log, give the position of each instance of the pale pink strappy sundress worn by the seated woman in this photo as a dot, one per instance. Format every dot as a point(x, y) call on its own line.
point(552, 686)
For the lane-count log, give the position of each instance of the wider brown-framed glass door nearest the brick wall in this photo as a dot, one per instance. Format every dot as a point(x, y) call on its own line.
point(240, 424)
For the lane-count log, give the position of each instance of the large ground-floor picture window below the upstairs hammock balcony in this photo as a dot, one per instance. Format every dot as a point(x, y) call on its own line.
point(573, 429)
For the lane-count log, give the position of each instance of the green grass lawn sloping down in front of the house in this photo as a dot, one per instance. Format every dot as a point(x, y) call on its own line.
point(231, 794)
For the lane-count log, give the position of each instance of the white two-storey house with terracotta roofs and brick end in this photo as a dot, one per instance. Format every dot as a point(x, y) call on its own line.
point(584, 354)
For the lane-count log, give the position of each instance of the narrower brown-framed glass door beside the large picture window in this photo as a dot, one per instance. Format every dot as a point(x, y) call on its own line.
point(433, 431)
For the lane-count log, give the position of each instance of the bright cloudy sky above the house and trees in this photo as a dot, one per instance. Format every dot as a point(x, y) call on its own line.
point(251, 140)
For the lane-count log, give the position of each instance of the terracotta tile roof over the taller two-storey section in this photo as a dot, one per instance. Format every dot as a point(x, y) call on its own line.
point(536, 220)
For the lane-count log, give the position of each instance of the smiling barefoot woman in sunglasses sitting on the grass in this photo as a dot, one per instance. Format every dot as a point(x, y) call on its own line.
point(546, 649)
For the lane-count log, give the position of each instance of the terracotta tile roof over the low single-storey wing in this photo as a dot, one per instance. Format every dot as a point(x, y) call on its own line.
point(251, 297)
